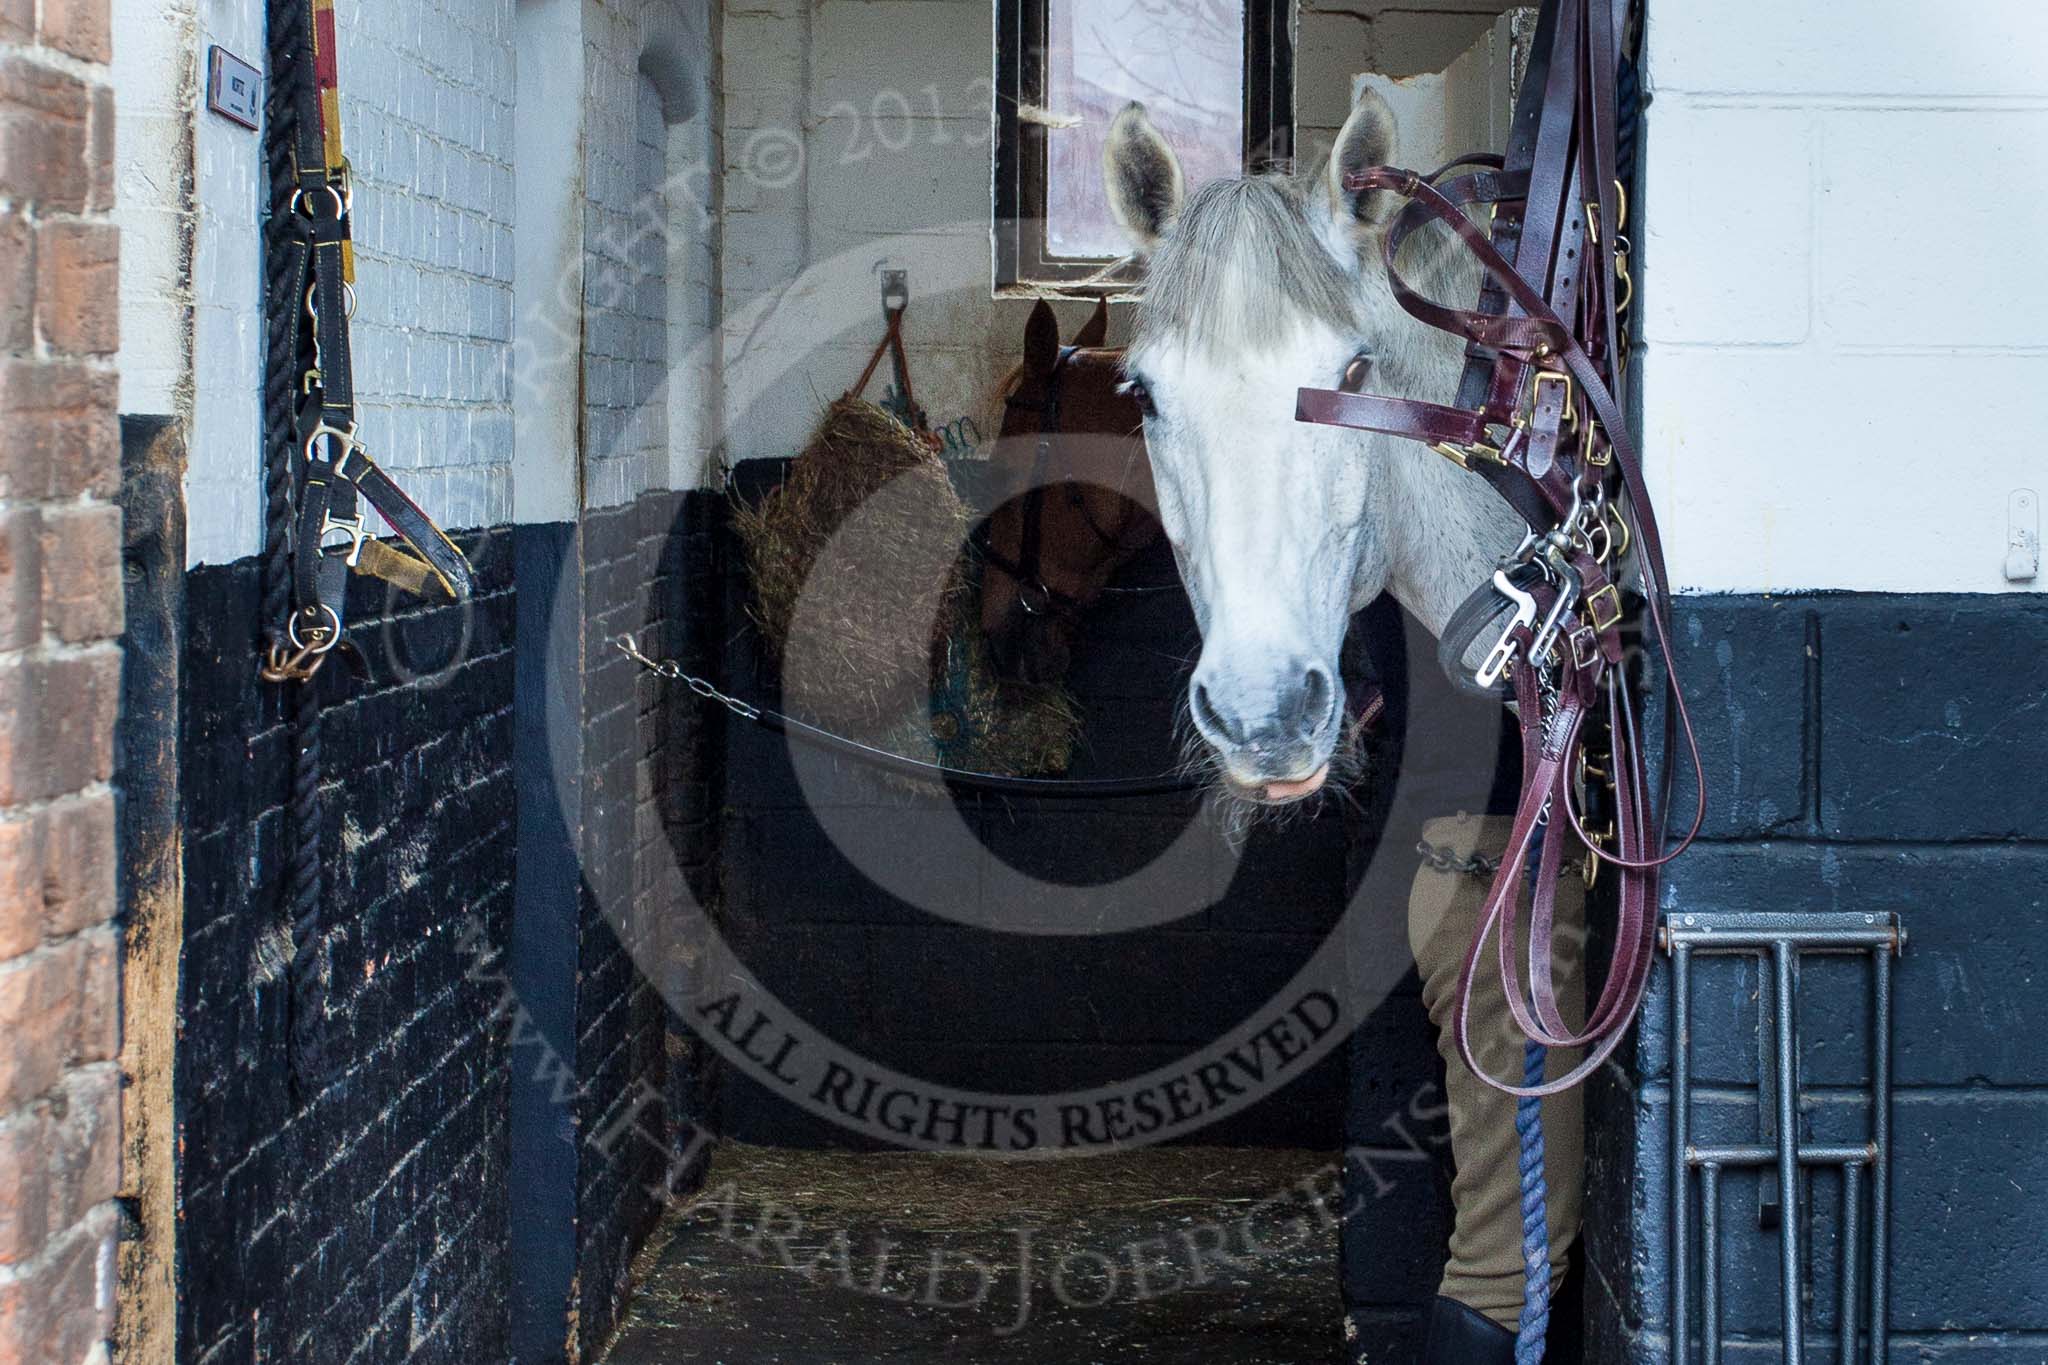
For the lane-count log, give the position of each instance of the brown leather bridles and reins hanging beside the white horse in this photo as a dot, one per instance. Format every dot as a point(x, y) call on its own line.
point(1539, 419)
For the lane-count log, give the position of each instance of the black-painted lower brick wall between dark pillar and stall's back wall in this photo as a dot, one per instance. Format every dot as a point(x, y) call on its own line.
point(648, 832)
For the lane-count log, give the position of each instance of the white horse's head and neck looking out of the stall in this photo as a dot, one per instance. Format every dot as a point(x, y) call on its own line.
point(1254, 290)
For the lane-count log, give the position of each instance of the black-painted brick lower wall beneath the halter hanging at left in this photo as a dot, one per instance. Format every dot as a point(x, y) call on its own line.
point(366, 1223)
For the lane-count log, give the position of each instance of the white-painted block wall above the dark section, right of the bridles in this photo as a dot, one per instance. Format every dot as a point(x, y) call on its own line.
point(1846, 335)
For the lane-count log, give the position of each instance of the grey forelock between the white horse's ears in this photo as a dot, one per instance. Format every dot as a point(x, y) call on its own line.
point(1244, 265)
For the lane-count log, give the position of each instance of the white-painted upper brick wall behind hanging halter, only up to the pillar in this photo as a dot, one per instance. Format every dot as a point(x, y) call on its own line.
point(427, 116)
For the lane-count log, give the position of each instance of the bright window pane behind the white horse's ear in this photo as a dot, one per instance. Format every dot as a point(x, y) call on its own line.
point(1185, 60)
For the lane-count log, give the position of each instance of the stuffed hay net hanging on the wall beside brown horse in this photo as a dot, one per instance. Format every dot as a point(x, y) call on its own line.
point(863, 599)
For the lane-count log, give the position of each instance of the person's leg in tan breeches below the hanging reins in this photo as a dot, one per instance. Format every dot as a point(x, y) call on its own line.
point(1486, 1245)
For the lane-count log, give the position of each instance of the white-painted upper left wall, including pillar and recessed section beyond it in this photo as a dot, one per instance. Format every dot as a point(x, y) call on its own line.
point(445, 228)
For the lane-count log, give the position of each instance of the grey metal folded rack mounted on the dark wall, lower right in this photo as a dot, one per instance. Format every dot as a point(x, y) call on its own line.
point(1783, 940)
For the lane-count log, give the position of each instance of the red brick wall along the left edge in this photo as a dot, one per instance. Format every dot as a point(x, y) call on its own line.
point(60, 664)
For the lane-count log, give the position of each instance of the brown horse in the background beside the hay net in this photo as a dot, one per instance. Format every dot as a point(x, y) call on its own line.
point(1074, 496)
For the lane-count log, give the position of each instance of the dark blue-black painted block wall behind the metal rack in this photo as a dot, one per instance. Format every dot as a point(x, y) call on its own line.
point(1871, 754)
